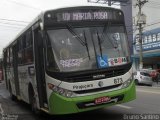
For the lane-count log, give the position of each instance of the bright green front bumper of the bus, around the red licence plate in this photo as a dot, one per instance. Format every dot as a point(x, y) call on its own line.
point(62, 105)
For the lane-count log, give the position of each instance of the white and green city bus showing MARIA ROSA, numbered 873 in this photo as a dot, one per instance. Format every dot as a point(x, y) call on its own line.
point(70, 60)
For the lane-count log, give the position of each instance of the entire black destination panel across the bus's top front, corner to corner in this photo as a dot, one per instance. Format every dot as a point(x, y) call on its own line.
point(73, 15)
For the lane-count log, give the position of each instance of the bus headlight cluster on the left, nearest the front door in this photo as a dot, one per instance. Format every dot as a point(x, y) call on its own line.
point(61, 91)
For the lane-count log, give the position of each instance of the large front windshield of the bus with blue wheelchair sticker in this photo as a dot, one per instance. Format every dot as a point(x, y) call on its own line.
point(86, 48)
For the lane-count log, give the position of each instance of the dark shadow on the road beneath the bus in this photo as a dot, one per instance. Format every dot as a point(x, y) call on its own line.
point(100, 114)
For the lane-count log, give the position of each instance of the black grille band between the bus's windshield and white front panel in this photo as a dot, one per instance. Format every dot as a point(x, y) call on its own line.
point(90, 75)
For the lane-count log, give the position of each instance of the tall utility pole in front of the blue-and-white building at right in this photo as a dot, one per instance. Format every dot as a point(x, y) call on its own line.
point(141, 20)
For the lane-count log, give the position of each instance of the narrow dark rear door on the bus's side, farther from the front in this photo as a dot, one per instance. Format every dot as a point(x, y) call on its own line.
point(15, 68)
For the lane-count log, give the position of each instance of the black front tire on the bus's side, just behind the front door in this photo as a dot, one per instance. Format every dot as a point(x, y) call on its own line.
point(32, 101)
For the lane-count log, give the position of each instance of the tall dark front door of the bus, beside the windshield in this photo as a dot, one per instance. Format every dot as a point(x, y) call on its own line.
point(39, 65)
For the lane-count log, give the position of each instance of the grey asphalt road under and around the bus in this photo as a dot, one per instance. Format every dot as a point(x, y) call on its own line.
point(147, 103)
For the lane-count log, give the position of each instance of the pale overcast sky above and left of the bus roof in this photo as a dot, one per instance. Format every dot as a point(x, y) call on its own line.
point(15, 15)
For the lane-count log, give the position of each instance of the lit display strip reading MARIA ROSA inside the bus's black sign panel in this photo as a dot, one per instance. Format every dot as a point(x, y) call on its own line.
point(89, 16)
